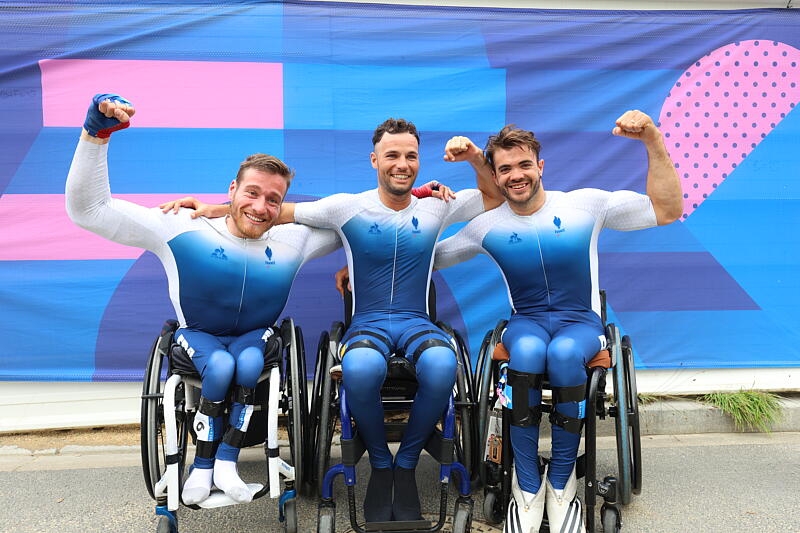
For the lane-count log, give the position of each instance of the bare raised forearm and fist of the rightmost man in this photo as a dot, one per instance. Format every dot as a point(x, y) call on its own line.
point(663, 184)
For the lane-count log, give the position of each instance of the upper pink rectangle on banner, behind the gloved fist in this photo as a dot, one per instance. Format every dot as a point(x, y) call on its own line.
point(167, 94)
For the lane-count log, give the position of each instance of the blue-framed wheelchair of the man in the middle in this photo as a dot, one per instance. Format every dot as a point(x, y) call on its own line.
point(452, 445)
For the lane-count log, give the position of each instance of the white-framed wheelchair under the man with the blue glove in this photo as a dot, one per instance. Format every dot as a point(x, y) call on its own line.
point(170, 398)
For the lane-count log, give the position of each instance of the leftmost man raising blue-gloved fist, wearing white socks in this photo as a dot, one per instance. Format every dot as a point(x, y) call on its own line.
point(229, 280)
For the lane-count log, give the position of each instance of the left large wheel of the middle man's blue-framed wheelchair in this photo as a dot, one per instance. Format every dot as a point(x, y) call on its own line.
point(326, 403)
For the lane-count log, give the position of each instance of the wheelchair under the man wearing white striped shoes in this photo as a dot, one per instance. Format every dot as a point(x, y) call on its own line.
point(494, 426)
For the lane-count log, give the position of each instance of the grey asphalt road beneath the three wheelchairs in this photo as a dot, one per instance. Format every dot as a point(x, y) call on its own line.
point(692, 483)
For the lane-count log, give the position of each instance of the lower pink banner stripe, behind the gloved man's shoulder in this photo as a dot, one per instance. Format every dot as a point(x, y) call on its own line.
point(53, 236)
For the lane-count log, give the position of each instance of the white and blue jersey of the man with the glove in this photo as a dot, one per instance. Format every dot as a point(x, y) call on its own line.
point(218, 283)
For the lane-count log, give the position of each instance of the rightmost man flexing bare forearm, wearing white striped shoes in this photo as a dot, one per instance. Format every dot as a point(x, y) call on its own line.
point(545, 243)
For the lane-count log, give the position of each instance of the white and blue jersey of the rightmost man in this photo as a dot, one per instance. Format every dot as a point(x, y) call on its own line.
point(549, 259)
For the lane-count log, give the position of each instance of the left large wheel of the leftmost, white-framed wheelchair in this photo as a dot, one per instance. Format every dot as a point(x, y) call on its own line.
point(153, 433)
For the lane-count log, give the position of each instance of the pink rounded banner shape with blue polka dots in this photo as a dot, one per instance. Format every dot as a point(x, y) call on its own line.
point(722, 107)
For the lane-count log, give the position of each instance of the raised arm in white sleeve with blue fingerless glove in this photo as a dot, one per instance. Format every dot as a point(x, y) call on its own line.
point(88, 194)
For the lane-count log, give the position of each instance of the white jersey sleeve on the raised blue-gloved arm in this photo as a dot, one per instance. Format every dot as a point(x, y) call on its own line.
point(90, 205)
